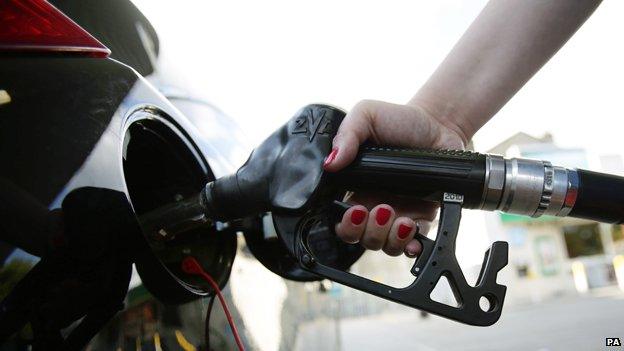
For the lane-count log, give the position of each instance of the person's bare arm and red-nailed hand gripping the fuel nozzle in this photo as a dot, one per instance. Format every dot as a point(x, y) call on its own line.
point(504, 47)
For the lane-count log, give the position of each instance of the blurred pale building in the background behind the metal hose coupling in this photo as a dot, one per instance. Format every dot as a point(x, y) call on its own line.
point(551, 256)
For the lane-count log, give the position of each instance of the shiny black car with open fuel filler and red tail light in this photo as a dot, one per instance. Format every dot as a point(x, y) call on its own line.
point(88, 146)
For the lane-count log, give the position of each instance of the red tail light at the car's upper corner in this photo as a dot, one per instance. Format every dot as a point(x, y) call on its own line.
point(38, 26)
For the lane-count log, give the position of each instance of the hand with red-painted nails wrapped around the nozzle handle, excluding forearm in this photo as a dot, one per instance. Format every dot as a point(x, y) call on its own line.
point(379, 221)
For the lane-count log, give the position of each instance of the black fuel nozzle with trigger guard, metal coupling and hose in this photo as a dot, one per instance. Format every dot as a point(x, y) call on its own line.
point(284, 176)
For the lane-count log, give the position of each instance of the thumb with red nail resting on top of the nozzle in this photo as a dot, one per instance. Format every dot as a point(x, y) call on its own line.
point(353, 131)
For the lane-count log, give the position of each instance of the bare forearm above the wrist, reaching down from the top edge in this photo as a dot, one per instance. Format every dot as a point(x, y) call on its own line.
point(504, 47)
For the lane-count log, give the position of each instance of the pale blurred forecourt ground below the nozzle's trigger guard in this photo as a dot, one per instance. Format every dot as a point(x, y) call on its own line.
point(573, 323)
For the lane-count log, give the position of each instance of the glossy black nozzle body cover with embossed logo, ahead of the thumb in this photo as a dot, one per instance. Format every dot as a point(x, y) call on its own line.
point(284, 173)
